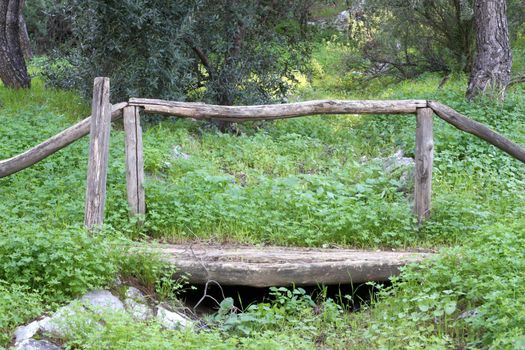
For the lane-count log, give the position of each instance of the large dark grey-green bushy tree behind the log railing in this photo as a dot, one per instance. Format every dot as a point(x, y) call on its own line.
point(217, 51)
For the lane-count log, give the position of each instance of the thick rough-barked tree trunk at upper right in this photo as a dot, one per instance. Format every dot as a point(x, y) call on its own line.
point(490, 74)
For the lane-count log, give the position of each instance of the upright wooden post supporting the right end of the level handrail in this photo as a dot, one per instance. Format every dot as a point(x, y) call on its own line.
point(424, 159)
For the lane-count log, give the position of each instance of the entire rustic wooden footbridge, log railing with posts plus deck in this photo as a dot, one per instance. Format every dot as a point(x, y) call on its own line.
point(249, 265)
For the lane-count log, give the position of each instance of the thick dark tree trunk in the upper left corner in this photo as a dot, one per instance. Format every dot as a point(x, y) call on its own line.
point(13, 71)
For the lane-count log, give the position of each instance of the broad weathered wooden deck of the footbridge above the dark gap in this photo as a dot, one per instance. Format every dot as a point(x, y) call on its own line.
point(279, 266)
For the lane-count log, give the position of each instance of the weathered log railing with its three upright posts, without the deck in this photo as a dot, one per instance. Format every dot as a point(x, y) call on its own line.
point(99, 124)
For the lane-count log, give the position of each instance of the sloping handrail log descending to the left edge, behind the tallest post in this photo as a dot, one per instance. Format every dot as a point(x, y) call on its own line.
point(45, 149)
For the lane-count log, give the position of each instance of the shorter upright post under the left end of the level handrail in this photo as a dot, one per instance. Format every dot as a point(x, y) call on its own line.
point(134, 161)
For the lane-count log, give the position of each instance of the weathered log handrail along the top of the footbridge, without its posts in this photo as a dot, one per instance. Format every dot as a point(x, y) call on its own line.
point(263, 112)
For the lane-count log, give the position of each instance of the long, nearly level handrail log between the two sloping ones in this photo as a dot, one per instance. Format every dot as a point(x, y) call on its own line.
point(275, 111)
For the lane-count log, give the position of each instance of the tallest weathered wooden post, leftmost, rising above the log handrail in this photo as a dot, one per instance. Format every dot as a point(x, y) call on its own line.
point(98, 154)
